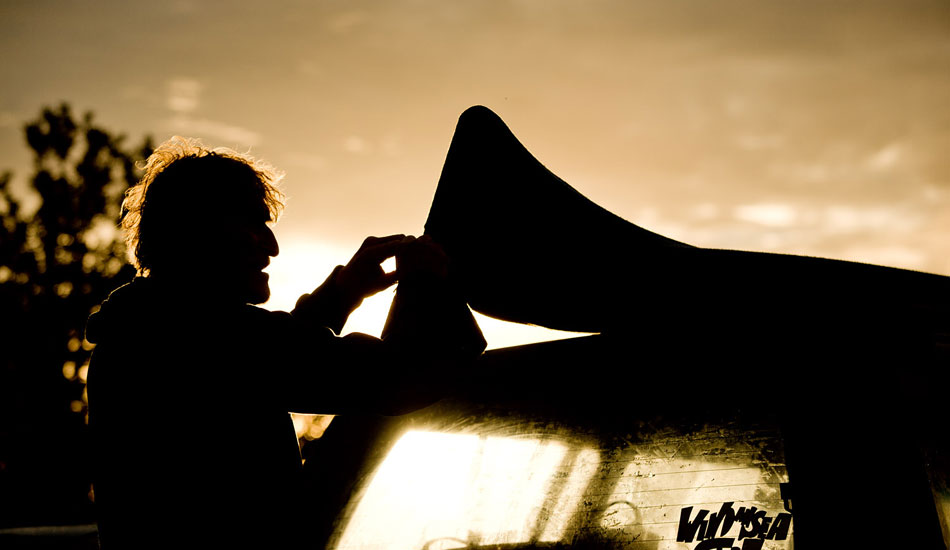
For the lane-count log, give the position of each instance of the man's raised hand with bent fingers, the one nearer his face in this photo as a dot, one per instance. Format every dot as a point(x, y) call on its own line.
point(363, 275)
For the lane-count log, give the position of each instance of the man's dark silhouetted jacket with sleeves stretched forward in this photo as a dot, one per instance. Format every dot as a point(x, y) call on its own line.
point(188, 408)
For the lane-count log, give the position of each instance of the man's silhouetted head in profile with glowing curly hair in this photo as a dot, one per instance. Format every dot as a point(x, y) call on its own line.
point(199, 219)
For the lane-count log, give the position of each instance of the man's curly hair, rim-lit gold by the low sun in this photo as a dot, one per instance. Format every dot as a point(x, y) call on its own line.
point(185, 181)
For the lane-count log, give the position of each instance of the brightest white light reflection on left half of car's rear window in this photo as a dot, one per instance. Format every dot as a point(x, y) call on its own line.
point(448, 490)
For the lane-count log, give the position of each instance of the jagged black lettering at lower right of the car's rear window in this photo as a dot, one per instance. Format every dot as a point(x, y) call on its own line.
point(755, 525)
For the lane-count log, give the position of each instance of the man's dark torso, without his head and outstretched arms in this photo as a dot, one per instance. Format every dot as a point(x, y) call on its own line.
point(189, 426)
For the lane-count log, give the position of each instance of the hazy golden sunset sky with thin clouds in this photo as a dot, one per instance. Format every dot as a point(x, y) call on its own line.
point(812, 127)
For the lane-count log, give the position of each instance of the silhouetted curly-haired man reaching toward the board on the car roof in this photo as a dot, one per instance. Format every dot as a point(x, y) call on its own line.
point(190, 386)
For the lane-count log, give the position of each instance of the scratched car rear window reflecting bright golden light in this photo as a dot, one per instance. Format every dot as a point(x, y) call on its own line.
point(520, 484)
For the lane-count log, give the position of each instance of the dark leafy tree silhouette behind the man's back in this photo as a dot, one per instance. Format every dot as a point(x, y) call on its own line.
point(57, 264)
